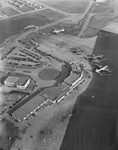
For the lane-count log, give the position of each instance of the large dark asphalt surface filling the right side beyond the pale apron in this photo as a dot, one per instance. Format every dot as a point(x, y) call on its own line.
point(93, 125)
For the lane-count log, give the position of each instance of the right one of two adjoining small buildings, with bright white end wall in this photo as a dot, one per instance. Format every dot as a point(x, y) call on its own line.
point(23, 82)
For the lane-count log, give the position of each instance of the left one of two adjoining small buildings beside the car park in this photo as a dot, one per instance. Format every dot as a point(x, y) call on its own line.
point(11, 81)
